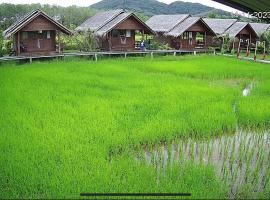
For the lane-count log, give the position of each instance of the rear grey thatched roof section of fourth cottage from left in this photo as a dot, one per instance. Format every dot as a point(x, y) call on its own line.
point(219, 26)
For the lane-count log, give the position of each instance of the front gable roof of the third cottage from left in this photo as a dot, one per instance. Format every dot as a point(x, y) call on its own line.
point(185, 25)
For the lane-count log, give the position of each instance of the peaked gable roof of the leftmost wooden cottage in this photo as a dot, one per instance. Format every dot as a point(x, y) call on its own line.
point(26, 19)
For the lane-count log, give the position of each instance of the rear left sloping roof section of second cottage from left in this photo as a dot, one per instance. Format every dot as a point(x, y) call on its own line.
point(100, 19)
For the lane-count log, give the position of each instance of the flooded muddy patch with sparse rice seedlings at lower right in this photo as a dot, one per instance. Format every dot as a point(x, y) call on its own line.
point(240, 159)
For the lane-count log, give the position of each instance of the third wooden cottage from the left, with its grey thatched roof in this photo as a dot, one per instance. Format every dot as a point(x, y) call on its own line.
point(181, 31)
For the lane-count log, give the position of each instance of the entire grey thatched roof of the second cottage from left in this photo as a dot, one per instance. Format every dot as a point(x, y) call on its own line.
point(102, 23)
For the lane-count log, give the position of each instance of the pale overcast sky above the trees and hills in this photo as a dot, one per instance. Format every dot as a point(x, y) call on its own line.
point(89, 2)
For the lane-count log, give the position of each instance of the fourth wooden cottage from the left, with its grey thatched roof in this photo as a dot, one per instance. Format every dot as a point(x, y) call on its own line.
point(241, 32)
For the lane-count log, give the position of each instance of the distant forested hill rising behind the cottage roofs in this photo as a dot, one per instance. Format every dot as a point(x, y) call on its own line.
point(153, 7)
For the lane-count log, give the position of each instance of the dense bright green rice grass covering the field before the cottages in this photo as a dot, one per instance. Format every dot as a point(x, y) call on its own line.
point(60, 121)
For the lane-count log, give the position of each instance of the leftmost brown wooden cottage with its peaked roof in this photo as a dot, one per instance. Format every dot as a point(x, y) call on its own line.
point(35, 33)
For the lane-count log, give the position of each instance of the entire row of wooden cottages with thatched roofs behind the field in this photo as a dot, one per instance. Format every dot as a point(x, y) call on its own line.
point(36, 32)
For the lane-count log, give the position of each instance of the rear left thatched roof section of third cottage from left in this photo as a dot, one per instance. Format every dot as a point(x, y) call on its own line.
point(165, 23)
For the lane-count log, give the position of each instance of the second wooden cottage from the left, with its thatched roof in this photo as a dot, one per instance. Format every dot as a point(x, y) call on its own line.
point(115, 29)
